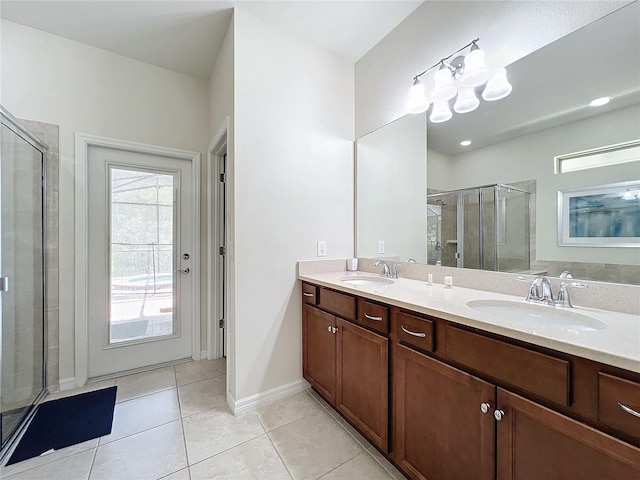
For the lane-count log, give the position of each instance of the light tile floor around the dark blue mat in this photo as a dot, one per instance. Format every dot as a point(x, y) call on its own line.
point(173, 424)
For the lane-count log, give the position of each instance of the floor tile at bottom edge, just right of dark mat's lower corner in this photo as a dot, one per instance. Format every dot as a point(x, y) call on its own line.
point(148, 455)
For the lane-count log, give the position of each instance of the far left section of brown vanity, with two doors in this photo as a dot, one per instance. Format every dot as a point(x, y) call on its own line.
point(347, 364)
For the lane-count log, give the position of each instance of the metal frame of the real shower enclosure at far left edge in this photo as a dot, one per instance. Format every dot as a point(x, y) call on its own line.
point(13, 124)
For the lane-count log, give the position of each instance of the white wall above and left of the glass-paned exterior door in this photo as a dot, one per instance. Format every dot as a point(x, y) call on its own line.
point(83, 89)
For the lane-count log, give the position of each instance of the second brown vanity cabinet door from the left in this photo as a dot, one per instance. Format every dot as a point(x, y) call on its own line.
point(363, 391)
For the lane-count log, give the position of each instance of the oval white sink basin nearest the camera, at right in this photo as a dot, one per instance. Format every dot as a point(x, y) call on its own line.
point(532, 314)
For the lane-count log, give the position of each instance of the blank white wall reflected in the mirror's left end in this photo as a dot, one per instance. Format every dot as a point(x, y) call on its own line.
point(392, 189)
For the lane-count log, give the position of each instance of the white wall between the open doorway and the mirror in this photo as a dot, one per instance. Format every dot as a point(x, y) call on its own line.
point(294, 110)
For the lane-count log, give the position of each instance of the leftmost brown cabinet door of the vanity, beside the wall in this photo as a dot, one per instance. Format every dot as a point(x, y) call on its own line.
point(319, 351)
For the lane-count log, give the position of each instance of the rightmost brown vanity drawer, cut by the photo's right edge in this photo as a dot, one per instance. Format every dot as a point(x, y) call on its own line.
point(613, 394)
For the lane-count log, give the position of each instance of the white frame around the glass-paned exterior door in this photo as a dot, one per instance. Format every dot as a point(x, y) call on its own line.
point(82, 143)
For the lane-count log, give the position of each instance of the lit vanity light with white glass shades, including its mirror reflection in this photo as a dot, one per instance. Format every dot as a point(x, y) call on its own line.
point(459, 77)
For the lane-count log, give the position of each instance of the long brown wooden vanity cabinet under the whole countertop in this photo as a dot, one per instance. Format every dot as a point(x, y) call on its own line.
point(469, 404)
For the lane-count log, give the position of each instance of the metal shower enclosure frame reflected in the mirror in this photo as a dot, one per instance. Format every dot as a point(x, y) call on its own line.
point(459, 193)
